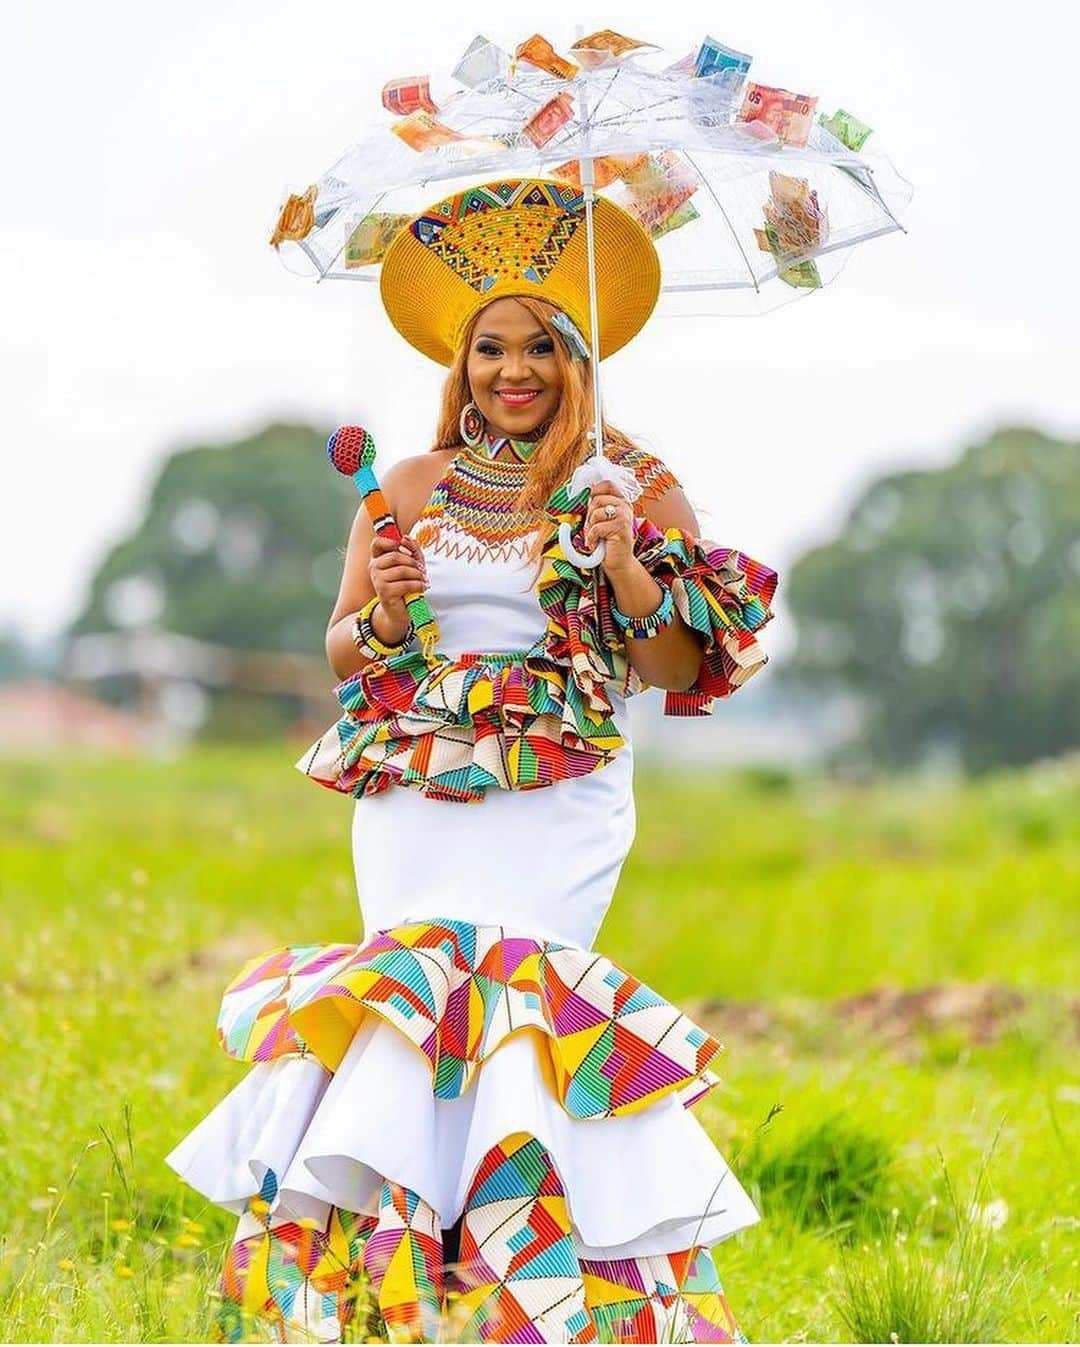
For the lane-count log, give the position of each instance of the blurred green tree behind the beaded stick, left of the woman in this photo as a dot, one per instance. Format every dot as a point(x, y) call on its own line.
point(240, 545)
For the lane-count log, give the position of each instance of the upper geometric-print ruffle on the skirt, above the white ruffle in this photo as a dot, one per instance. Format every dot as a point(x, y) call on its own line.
point(607, 1043)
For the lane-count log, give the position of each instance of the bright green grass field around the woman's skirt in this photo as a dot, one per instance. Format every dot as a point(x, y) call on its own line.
point(919, 1179)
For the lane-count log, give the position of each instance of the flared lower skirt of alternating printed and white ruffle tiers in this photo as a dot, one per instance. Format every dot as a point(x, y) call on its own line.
point(527, 1094)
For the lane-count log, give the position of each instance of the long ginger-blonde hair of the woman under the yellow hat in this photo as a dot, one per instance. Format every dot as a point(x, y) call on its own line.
point(565, 442)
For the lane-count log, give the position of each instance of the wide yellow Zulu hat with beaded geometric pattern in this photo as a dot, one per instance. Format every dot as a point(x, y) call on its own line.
point(520, 236)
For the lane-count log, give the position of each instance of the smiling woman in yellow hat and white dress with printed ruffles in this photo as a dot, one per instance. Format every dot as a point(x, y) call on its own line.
point(533, 1174)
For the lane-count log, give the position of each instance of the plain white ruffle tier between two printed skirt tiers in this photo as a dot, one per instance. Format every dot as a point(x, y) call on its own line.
point(643, 1183)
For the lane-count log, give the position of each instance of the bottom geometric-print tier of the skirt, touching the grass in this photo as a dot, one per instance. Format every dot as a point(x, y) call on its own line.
point(519, 1278)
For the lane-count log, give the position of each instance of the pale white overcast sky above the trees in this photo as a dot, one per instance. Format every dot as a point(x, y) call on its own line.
point(147, 149)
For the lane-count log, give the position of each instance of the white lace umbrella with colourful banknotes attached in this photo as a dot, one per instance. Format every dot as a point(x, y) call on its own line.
point(752, 192)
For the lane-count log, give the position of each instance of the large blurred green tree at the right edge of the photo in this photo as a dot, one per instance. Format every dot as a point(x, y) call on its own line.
point(950, 608)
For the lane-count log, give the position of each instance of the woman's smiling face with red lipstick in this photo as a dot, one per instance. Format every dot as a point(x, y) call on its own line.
point(511, 354)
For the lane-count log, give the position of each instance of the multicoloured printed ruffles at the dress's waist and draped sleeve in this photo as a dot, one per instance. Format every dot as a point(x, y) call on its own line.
point(531, 719)
